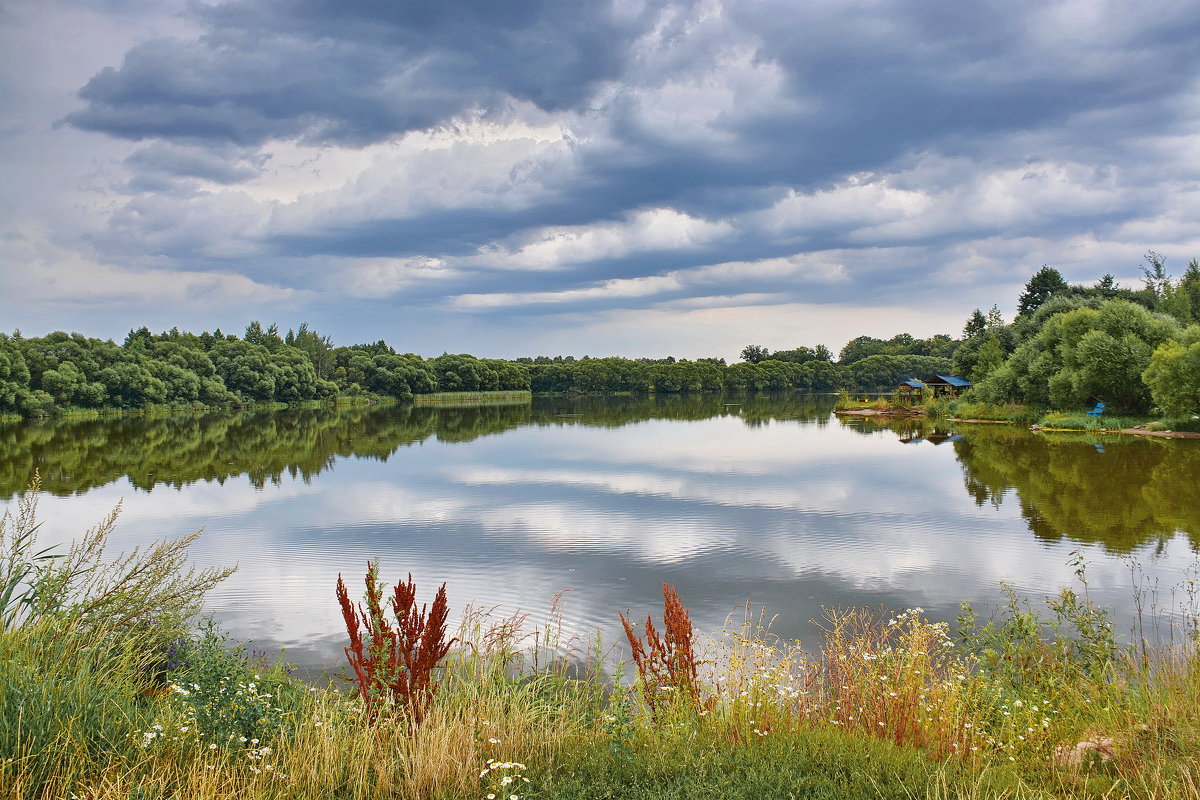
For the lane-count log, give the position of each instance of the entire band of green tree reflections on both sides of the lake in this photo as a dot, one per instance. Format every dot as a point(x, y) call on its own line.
point(1113, 491)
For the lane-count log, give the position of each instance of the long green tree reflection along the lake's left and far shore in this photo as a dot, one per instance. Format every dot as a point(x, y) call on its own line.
point(178, 449)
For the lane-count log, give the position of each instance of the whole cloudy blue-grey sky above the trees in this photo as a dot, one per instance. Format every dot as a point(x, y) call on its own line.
point(515, 178)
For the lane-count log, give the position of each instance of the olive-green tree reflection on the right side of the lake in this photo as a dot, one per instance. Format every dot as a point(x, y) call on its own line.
point(1124, 495)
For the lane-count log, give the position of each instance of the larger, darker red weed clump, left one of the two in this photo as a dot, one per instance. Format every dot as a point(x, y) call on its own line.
point(394, 666)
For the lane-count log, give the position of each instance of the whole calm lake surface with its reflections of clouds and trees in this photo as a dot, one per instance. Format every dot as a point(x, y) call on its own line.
point(769, 500)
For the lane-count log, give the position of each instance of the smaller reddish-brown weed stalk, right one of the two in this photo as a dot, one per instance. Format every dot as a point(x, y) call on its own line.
point(668, 661)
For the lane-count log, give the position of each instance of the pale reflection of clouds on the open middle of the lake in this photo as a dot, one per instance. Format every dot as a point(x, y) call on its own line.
point(796, 519)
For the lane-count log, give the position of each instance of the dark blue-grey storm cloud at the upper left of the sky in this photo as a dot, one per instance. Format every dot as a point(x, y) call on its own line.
point(351, 73)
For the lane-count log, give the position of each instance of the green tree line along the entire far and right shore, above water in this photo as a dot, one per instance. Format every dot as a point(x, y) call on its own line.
point(1069, 347)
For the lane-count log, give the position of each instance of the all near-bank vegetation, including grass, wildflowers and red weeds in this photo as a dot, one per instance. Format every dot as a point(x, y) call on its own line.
point(135, 702)
